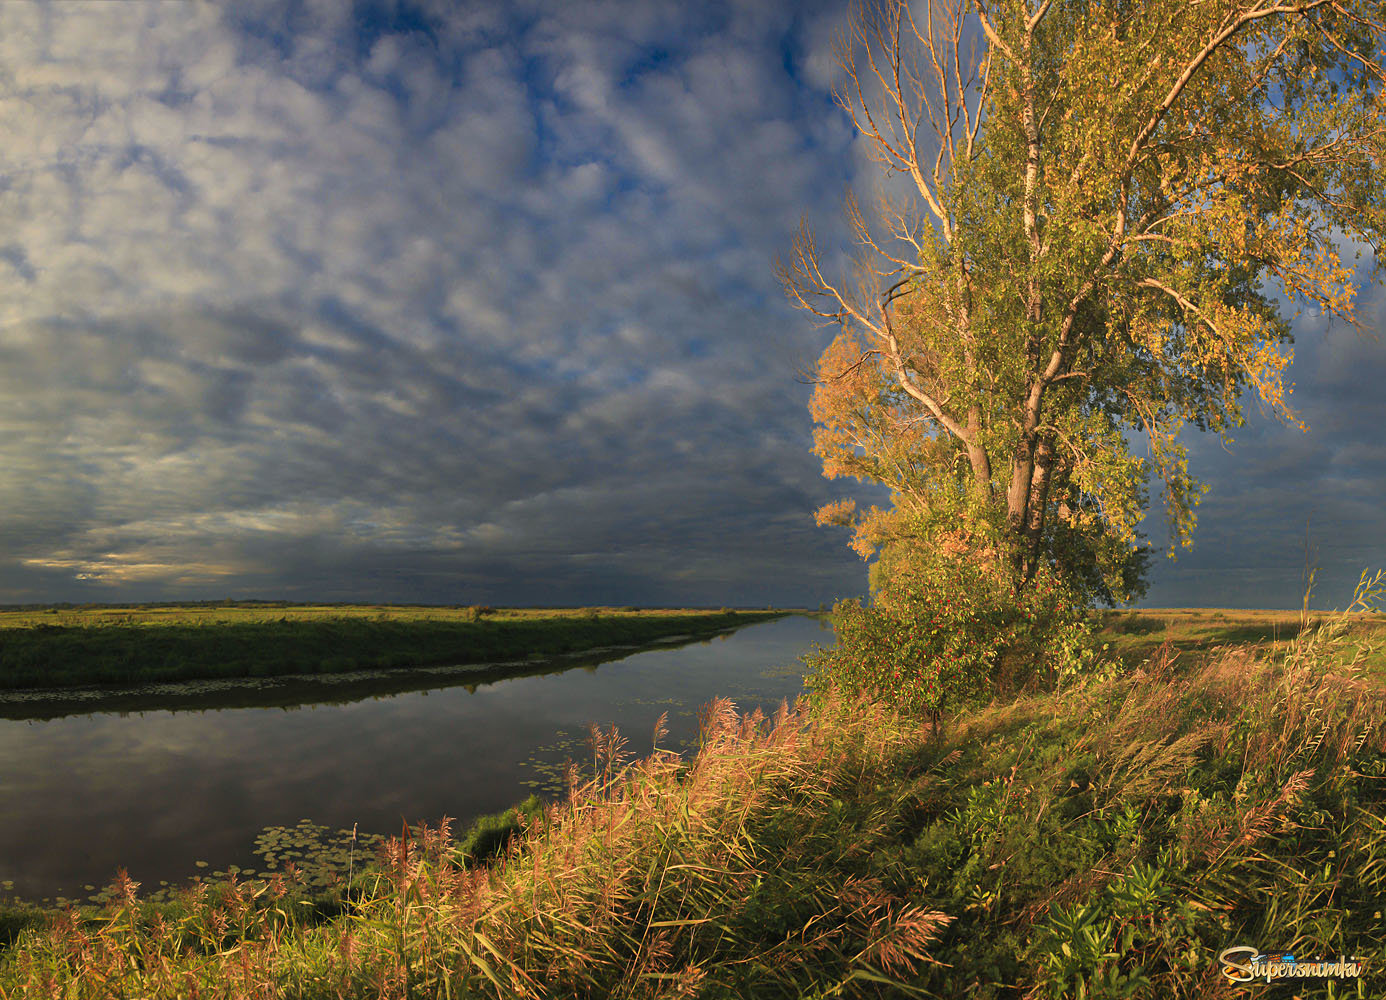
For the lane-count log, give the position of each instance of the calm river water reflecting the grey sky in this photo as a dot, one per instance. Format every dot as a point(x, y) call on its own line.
point(159, 792)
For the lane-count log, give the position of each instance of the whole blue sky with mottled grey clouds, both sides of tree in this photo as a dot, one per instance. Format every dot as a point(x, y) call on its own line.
point(475, 304)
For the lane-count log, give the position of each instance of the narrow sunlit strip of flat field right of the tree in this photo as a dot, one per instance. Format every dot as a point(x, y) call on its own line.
point(1197, 632)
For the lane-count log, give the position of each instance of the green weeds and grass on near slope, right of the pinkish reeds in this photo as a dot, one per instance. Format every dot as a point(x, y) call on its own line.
point(1108, 840)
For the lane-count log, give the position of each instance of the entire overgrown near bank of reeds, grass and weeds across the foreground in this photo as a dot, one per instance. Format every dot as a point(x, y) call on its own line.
point(1107, 840)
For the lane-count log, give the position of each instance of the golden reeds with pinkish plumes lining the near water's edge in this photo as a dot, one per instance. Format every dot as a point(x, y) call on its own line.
point(742, 873)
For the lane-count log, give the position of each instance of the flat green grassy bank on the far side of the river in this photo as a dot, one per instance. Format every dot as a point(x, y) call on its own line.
point(139, 646)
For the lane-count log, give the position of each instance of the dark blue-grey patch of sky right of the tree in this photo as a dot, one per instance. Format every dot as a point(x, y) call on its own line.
point(1280, 488)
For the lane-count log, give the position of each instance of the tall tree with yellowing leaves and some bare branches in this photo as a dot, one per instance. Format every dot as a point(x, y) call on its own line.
point(1111, 206)
